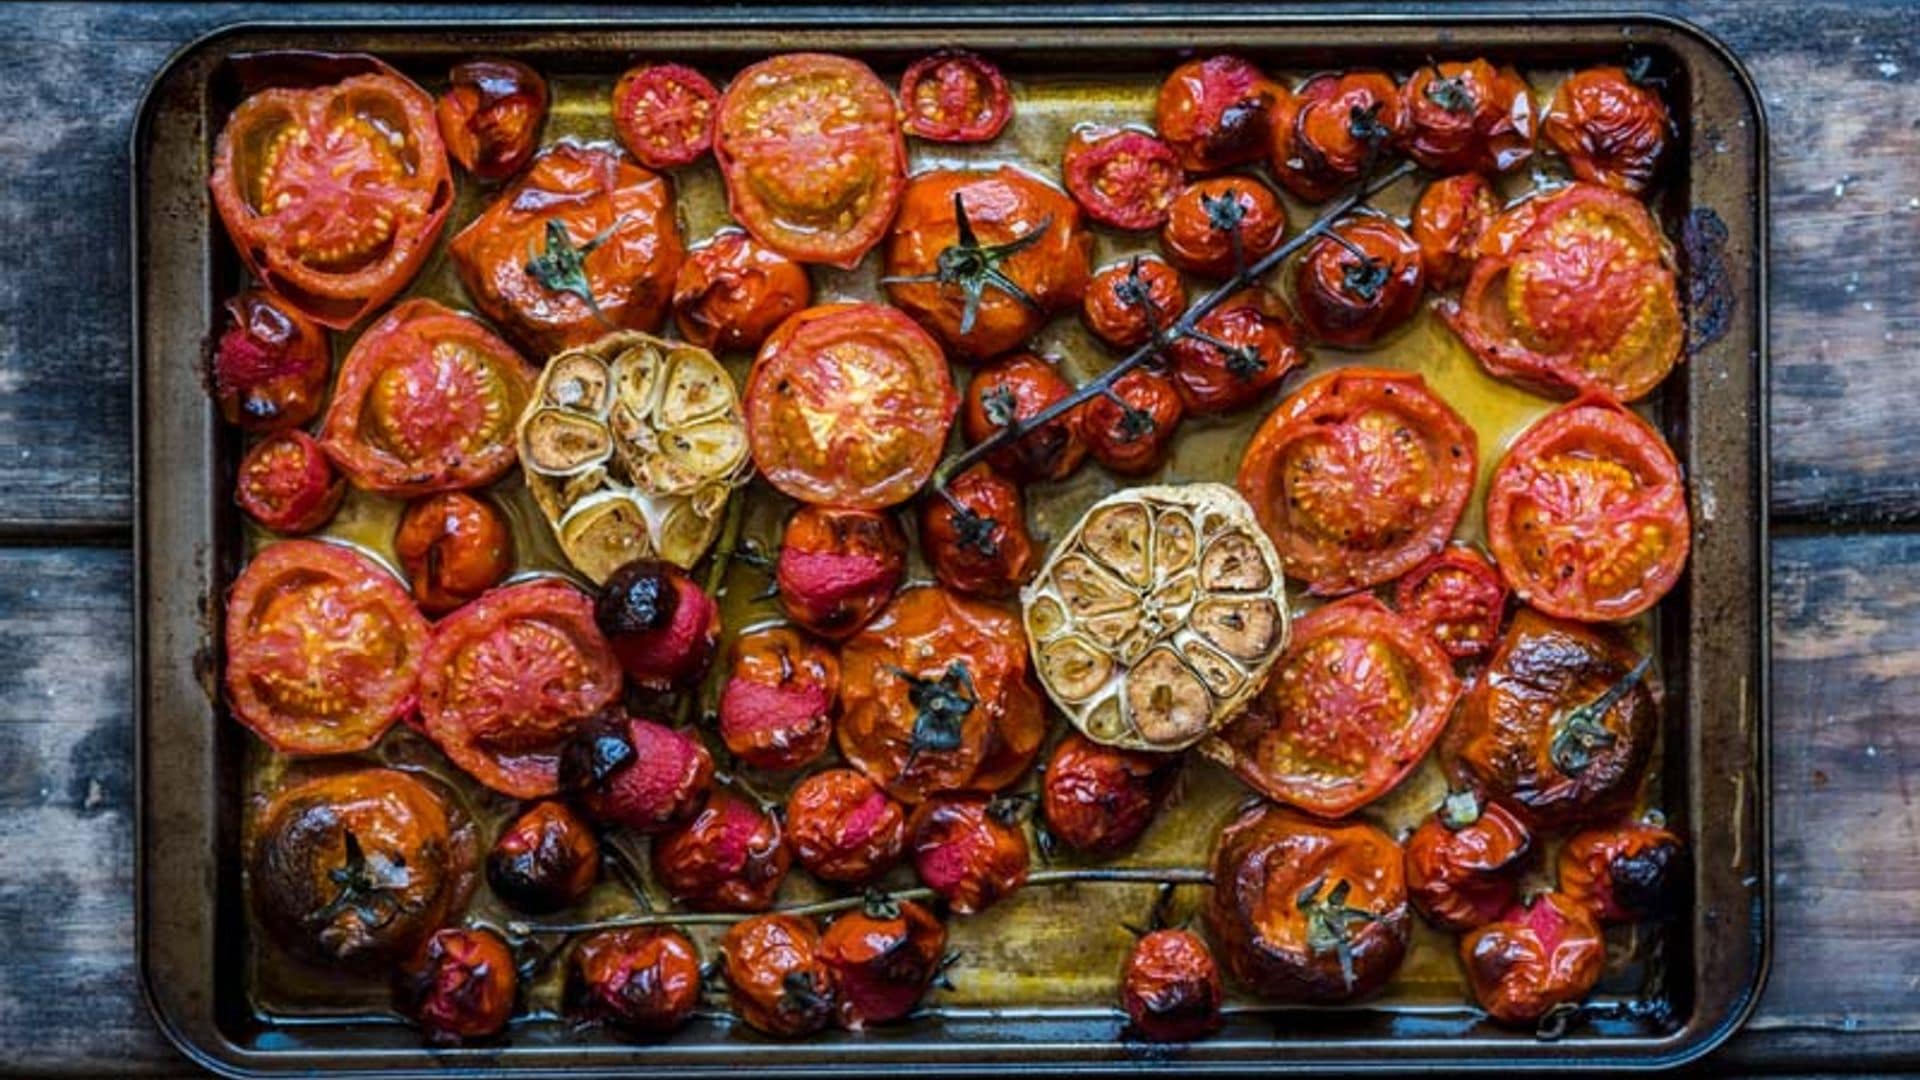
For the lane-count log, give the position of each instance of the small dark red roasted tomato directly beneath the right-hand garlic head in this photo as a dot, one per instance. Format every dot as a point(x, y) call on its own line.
point(1101, 798)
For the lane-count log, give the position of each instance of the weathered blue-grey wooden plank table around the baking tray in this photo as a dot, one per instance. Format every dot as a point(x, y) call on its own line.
point(1842, 91)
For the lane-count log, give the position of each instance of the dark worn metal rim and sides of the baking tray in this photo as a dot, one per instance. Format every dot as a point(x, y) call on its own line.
point(1698, 979)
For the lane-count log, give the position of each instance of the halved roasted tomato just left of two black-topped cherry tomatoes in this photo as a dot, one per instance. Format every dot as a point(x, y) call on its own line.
point(510, 679)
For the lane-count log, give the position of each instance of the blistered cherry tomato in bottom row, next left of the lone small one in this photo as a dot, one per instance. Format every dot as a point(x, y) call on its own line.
point(884, 958)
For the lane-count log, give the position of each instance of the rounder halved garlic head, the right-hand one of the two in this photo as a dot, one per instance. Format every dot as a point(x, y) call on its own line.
point(1159, 616)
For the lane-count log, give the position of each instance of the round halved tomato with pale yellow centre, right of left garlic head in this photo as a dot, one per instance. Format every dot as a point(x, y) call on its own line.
point(850, 405)
